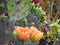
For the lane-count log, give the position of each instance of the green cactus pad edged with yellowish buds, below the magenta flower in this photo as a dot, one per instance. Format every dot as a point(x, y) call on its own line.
point(37, 10)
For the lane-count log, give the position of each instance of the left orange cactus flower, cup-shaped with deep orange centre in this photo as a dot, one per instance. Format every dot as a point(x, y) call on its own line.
point(23, 32)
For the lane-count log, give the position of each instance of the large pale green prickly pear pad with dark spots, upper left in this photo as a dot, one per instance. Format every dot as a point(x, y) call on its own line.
point(18, 9)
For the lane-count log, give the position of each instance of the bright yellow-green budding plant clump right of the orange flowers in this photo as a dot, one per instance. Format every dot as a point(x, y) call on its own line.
point(52, 34)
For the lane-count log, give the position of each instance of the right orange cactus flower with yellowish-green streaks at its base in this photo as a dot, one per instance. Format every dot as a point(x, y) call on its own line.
point(36, 35)
